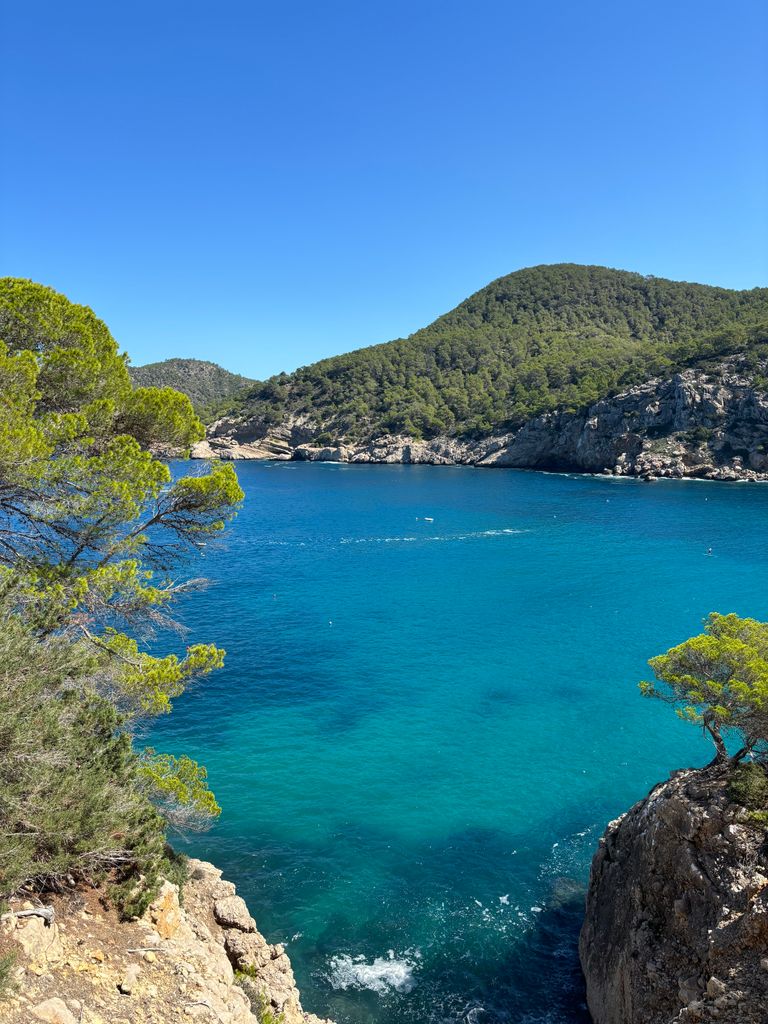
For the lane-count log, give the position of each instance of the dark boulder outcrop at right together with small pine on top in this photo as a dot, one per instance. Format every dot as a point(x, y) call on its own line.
point(676, 927)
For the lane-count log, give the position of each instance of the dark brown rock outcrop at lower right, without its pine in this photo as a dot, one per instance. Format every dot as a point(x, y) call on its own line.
point(676, 929)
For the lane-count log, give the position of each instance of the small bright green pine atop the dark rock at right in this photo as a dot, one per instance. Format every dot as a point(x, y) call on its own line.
point(719, 680)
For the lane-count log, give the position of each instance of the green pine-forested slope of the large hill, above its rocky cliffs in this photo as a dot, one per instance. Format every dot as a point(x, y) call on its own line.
point(556, 336)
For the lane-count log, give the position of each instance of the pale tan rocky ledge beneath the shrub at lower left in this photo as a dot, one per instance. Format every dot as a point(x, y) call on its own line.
point(201, 958)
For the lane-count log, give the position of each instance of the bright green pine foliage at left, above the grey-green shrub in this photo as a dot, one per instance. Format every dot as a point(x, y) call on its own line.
point(92, 514)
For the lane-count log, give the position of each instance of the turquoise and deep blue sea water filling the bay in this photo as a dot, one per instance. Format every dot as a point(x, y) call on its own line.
point(424, 727)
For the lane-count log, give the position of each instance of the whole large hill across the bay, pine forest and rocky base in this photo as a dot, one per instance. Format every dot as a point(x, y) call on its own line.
point(533, 355)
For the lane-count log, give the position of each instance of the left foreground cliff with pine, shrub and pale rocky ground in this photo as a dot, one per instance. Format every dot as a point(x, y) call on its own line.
point(95, 529)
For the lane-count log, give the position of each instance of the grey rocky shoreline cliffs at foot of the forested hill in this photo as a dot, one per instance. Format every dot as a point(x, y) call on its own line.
point(706, 424)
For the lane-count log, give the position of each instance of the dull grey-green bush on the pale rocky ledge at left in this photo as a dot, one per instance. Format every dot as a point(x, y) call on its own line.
point(70, 803)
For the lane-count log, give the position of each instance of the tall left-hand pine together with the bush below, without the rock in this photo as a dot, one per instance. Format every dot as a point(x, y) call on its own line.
point(93, 523)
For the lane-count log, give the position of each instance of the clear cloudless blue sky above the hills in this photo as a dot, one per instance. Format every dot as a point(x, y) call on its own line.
point(268, 184)
